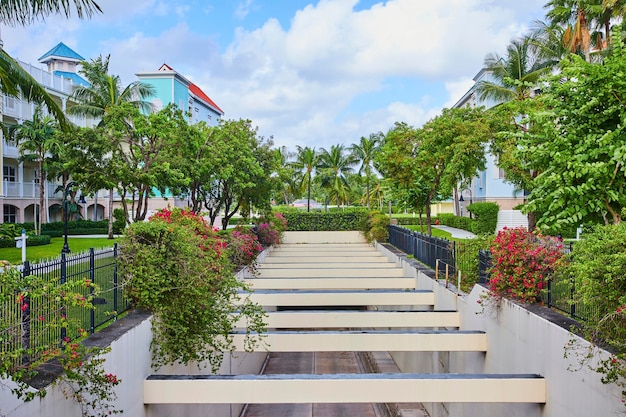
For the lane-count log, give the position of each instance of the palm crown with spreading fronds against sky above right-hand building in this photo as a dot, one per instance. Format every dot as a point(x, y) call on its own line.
point(514, 75)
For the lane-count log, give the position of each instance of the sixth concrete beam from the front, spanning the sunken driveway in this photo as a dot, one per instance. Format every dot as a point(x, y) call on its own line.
point(324, 272)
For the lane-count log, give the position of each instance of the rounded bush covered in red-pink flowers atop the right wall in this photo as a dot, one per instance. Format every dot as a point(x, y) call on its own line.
point(522, 261)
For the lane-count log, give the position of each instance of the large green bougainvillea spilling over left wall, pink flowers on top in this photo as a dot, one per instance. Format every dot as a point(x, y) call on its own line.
point(176, 267)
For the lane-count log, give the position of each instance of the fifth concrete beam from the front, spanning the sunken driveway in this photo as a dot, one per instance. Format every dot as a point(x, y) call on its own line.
point(330, 283)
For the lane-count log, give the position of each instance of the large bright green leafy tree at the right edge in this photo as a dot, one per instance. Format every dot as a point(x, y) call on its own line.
point(579, 143)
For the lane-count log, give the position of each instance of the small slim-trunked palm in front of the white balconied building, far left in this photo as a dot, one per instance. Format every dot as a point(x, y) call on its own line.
point(37, 140)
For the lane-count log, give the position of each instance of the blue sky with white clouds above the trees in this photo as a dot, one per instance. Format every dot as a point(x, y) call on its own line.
point(309, 73)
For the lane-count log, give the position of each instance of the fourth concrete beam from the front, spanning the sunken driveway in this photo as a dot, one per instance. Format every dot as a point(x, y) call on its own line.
point(276, 298)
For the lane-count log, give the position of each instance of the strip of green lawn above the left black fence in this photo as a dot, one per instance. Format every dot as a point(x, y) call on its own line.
point(53, 250)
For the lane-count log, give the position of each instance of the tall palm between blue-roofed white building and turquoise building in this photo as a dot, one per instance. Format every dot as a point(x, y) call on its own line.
point(104, 93)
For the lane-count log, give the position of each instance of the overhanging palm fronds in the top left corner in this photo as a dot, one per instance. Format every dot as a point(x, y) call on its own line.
point(14, 80)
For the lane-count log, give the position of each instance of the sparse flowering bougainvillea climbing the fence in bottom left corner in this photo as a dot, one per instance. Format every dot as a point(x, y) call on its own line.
point(39, 304)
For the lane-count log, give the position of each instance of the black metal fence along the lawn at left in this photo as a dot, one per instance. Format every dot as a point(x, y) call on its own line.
point(27, 326)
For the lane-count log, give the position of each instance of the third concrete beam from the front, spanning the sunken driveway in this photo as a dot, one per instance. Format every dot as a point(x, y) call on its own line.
point(360, 319)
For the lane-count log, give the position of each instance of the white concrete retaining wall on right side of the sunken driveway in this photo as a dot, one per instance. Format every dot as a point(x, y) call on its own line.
point(519, 342)
